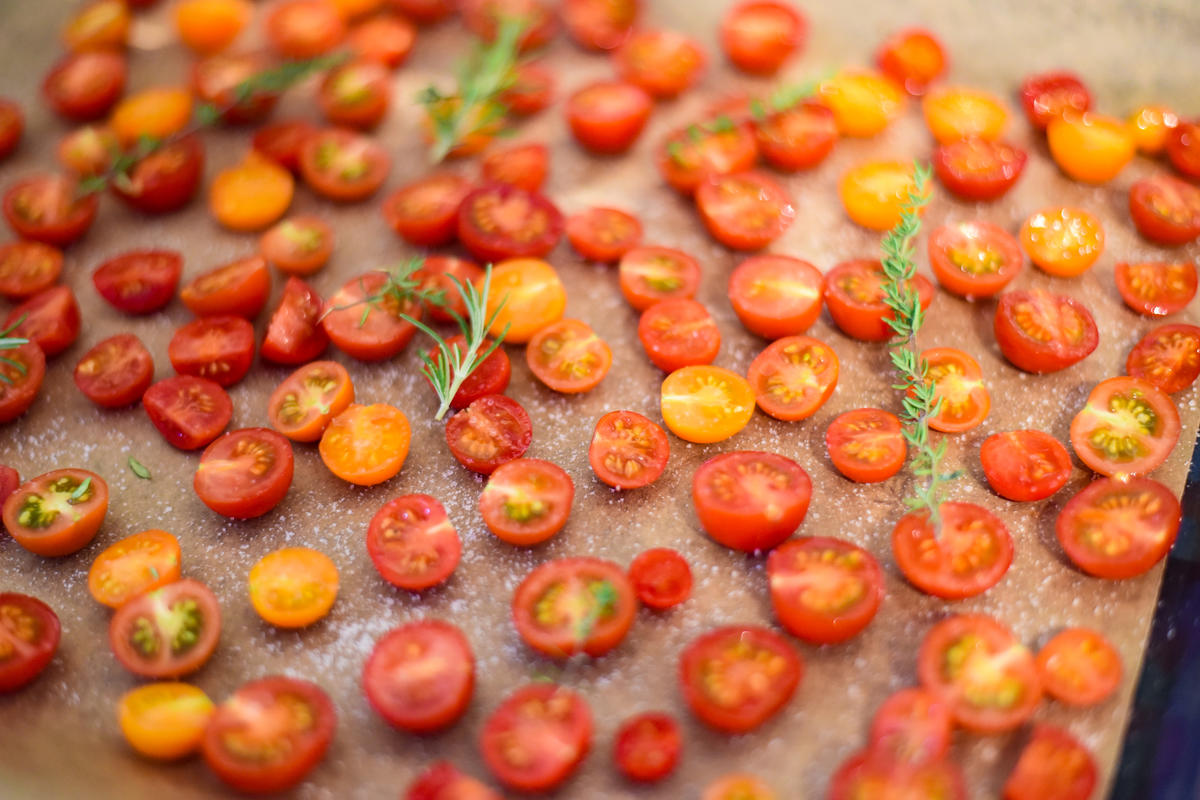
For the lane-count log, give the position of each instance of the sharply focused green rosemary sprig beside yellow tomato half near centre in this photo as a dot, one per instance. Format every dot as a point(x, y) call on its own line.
point(453, 366)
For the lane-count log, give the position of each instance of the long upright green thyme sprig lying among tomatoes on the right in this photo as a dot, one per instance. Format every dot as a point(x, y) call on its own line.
point(920, 402)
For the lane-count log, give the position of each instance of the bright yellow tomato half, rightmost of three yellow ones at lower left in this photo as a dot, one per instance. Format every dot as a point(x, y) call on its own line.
point(293, 587)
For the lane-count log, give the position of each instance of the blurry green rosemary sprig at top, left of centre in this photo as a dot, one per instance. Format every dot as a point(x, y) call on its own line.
point(477, 106)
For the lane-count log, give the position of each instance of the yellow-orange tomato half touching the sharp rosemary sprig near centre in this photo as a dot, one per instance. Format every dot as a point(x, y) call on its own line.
point(530, 297)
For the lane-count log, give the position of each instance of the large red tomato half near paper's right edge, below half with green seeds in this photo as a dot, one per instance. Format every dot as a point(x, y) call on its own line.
point(1119, 527)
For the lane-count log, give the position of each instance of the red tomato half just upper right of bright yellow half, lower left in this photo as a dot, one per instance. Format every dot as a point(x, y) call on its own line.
point(412, 543)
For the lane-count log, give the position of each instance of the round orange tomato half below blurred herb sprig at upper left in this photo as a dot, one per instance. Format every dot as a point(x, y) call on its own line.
point(251, 196)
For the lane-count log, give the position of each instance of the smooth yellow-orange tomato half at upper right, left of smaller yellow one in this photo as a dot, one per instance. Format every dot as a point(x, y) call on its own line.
point(1091, 148)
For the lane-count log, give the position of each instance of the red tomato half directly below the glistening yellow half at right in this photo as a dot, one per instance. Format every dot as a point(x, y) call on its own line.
point(1041, 333)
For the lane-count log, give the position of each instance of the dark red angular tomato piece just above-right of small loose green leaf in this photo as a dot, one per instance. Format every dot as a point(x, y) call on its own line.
point(189, 412)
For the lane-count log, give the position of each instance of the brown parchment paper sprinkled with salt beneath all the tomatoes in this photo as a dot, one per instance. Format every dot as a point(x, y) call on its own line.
point(59, 737)
